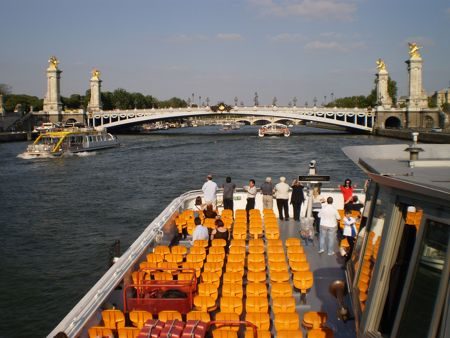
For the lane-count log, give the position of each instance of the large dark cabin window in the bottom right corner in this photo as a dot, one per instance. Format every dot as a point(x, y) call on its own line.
point(430, 276)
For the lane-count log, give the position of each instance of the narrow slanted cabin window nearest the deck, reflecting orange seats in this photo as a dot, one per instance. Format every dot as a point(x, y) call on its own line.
point(370, 236)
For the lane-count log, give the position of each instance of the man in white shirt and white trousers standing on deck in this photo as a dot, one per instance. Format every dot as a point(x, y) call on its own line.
point(329, 216)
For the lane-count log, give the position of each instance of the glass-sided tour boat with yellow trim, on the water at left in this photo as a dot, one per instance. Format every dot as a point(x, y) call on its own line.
point(70, 140)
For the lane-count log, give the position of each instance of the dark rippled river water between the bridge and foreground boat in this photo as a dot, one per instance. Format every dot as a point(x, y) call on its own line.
point(59, 217)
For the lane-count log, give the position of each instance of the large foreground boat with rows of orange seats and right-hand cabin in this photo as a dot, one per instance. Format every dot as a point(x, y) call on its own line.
point(272, 282)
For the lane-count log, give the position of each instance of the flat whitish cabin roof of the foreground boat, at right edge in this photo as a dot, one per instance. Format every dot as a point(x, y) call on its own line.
point(431, 170)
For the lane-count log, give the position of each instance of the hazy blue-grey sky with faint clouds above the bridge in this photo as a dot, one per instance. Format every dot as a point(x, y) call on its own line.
point(222, 49)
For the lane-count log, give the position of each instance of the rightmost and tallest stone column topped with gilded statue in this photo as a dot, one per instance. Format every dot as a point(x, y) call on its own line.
point(417, 98)
